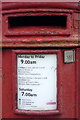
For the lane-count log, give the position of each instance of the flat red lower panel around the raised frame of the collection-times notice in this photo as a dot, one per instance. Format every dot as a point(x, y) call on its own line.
point(67, 88)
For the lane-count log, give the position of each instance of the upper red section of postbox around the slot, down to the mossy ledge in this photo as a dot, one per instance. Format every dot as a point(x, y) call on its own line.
point(40, 36)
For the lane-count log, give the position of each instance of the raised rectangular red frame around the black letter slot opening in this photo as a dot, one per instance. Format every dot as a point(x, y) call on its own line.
point(39, 30)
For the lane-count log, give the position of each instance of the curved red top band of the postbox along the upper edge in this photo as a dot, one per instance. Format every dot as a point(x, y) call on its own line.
point(44, 4)
